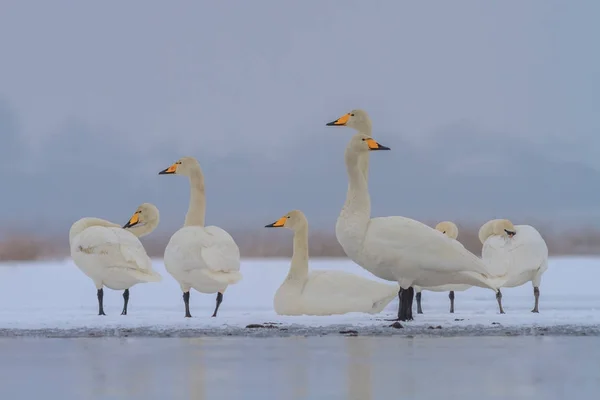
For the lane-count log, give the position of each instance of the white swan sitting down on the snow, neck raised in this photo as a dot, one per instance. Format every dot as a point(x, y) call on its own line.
point(323, 292)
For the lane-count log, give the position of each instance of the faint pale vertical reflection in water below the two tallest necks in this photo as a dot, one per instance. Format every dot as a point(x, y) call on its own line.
point(359, 368)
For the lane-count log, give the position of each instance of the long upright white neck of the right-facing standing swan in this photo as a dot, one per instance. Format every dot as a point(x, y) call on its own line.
point(357, 208)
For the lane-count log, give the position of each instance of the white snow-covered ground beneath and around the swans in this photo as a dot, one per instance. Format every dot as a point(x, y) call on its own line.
point(55, 299)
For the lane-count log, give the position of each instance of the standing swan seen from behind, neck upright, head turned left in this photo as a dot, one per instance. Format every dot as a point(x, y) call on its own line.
point(204, 258)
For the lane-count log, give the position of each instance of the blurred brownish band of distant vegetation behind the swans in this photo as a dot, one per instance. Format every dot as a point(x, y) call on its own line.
point(278, 243)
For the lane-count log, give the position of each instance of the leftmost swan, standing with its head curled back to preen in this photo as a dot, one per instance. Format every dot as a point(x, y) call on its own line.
point(112, 255)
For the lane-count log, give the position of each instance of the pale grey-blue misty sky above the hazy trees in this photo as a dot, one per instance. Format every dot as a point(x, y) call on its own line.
point(253, 78)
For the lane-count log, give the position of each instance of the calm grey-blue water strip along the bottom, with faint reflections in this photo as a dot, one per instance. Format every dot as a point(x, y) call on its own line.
point(300, 368)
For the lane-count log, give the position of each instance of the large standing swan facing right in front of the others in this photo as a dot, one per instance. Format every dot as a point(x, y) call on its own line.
point(397, 248)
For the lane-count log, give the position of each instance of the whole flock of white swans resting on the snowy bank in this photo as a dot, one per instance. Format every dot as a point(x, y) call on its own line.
point(412, 256)
